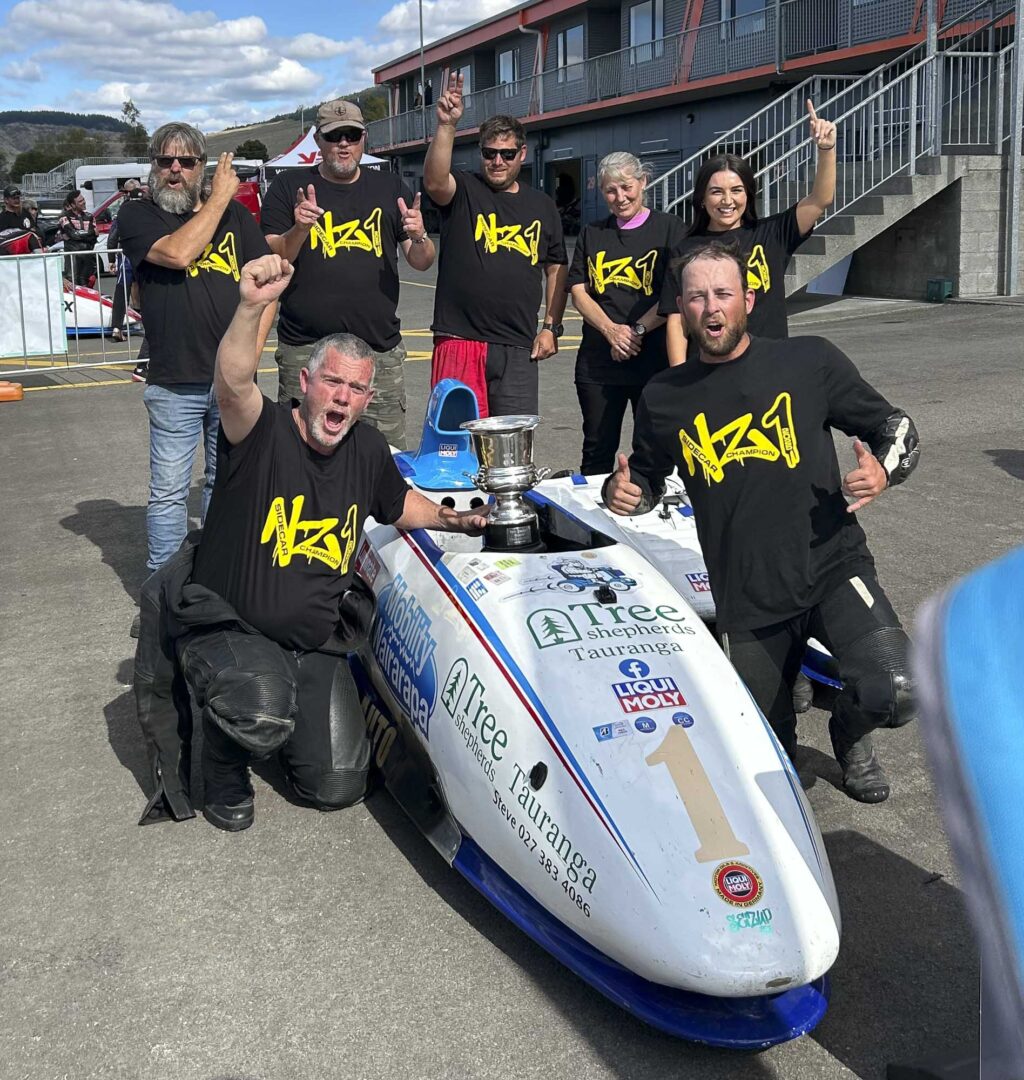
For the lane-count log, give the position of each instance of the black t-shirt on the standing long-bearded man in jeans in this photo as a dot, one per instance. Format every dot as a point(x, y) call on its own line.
point(187, 312)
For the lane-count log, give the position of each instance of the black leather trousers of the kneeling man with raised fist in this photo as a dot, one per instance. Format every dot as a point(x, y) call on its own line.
point(257, 698)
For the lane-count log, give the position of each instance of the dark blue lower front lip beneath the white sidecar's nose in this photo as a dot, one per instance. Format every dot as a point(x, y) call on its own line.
point(732, 1023)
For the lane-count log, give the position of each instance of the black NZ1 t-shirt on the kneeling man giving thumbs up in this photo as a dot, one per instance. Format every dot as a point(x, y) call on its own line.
point(751, 440)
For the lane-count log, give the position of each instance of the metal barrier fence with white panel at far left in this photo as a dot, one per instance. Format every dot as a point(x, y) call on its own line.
point(52, 318)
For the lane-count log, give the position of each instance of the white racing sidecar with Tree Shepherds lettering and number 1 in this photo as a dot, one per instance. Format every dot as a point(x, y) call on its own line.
point(587, 757)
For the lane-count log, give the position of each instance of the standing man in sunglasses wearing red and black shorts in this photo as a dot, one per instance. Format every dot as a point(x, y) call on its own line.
point(500, 240)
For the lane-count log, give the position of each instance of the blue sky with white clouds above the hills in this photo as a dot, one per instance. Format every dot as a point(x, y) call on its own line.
point(214, 64)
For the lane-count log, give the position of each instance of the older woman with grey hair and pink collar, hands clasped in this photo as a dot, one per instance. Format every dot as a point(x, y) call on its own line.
point(615, 282)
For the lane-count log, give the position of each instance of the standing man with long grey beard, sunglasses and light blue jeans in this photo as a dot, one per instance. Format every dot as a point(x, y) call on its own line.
point(187, 247)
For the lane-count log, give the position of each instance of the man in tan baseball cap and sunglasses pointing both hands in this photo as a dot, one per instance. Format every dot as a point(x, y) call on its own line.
point(341, 226)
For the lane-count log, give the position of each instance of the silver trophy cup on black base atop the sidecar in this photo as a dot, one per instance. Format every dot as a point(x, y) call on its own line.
point(505, 450)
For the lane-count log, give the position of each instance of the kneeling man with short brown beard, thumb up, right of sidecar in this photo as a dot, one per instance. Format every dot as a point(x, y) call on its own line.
point(748, 426)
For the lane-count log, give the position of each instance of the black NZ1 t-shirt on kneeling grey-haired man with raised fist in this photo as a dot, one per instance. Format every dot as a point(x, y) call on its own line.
point(285, 524)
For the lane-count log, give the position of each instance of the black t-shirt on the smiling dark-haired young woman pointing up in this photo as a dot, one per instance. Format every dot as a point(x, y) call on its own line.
point(767, 248)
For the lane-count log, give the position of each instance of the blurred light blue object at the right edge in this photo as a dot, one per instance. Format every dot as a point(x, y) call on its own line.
point(968, 660)
